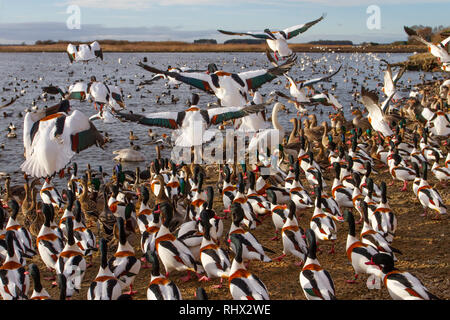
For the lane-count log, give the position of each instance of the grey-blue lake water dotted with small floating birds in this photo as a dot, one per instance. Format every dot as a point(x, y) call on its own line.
point(32, 71)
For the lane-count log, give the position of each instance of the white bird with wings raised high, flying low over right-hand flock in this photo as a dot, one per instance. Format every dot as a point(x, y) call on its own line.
point(377, 117)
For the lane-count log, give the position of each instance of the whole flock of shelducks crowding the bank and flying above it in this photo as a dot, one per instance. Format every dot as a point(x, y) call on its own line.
point(168, 212)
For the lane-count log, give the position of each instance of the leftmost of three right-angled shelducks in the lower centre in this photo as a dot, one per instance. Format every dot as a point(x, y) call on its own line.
point(174, 254)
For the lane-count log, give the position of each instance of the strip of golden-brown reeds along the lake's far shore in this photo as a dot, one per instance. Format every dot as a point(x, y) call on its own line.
point(190, 47)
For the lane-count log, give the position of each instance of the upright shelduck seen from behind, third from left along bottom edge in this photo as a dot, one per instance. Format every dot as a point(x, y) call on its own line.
point(71, 265)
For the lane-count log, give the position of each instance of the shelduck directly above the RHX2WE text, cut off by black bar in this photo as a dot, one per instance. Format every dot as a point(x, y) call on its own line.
point(244, 285)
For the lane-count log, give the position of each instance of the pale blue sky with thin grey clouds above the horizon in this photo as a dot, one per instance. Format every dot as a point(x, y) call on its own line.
point(186, 20)
